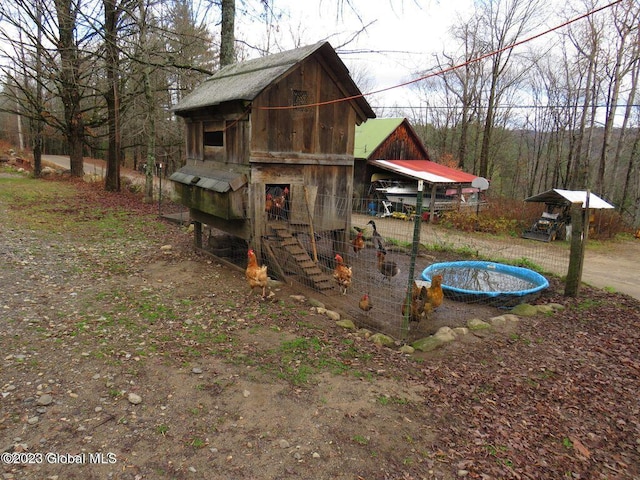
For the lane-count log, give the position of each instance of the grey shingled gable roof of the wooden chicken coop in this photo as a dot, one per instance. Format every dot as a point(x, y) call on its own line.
point(246, 80)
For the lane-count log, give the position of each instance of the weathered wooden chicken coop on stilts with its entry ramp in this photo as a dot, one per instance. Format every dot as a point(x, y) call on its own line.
point(269, 149)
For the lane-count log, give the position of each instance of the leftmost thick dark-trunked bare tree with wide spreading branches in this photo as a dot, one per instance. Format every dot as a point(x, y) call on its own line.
point(57, 89)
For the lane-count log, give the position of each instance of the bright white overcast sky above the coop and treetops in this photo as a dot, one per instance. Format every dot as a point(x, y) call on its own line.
point(398, 38)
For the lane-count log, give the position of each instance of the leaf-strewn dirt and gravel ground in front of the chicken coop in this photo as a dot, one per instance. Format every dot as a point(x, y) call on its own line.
point(142, 359)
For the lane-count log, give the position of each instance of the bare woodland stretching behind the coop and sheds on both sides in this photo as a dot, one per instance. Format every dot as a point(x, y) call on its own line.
point(98, 79)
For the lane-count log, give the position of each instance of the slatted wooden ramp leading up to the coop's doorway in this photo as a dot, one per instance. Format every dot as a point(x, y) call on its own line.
point(293, 260)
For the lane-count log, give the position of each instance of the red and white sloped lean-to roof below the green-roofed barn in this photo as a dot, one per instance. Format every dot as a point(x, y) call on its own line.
point(426, 170)
